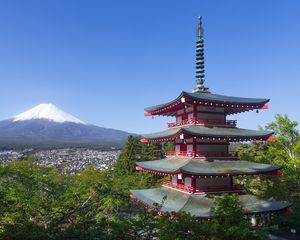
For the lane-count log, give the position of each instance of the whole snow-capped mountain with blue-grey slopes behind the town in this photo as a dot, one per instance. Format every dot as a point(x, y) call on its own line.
point(45, 125)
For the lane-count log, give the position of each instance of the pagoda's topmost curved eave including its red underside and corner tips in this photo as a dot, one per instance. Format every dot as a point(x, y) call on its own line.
point(233, 104)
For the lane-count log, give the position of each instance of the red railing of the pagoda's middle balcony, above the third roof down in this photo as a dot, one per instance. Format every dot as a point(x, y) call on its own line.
point(201, 154)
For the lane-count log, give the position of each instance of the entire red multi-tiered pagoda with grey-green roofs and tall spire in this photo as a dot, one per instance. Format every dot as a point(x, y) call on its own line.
point(201, 162)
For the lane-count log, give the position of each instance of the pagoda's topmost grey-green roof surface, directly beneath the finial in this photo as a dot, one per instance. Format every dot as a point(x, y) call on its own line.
point(207, 97)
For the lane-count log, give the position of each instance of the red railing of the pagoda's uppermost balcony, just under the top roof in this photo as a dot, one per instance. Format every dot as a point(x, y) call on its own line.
point(195, 121)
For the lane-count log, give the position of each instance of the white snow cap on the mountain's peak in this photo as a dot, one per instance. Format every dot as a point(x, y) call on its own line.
point(49, 112)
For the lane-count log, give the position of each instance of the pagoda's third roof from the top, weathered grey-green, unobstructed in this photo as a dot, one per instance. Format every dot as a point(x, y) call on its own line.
point(207, 167)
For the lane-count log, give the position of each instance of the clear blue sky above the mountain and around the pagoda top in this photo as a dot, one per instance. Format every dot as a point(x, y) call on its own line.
point(104, 61)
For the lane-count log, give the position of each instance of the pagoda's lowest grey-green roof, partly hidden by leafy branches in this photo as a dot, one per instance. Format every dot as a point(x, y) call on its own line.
point(200, 205)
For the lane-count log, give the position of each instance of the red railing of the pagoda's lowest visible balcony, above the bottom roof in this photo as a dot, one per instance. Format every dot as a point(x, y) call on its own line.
point(220, 188)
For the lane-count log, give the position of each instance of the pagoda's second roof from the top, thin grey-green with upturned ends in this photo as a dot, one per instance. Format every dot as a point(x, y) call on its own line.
point(204, 131)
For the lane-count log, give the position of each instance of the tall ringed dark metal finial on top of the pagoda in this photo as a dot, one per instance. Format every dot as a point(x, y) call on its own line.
point(200, 60)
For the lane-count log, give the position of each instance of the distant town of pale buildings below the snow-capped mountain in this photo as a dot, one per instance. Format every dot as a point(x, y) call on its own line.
point(68, 160)
